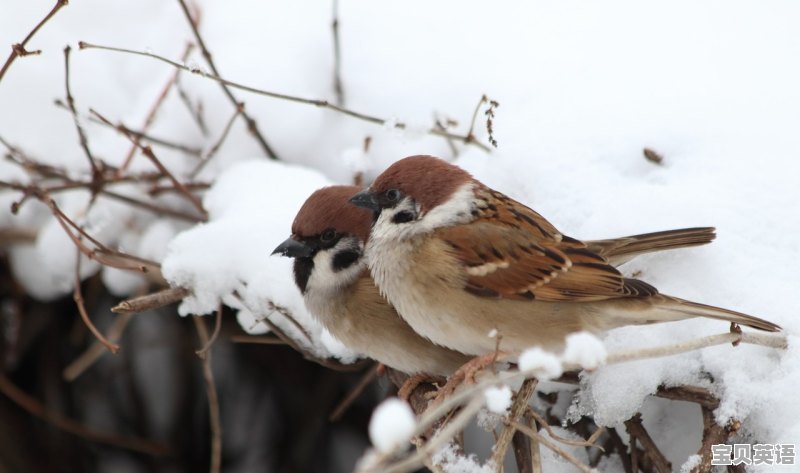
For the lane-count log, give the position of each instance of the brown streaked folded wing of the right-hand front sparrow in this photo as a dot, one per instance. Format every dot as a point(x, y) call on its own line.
point(510, 251)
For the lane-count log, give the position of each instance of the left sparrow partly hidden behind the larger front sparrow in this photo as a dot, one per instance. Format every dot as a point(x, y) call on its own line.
point(327, 244)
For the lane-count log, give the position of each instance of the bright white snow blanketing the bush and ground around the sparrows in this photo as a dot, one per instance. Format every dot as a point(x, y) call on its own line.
point(583, 87)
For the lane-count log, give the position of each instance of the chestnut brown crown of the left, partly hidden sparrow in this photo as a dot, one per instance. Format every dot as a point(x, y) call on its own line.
point(328, 208)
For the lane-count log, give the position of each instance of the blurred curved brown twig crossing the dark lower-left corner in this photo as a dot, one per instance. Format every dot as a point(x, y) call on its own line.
point(39, 410)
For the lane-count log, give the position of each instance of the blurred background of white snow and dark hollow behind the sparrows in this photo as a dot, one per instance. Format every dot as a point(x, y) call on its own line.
point(583, 87)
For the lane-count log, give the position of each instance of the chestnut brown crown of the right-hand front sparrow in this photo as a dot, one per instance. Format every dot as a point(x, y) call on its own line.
point(430, 181)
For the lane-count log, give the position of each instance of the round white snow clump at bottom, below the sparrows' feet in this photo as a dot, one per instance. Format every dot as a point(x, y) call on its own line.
point(392, 425)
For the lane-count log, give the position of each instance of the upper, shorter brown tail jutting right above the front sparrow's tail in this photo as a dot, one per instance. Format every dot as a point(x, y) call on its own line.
point(621, 250)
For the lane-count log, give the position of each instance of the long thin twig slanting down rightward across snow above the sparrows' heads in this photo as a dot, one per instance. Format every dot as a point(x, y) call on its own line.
point(315, 102)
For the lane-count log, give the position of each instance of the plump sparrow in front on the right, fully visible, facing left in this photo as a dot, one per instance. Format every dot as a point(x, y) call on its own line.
point(460, 261)
